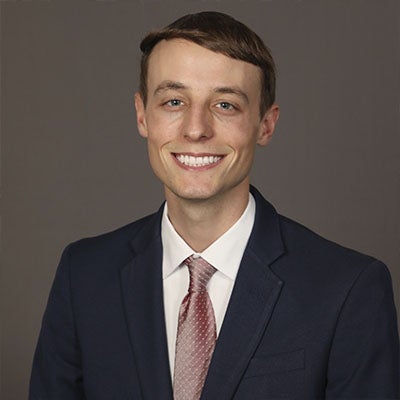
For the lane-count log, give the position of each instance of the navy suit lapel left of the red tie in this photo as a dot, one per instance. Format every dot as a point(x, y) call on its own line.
point(142, 289)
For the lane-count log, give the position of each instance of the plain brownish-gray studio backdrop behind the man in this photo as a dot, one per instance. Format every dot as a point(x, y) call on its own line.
point(73, 164)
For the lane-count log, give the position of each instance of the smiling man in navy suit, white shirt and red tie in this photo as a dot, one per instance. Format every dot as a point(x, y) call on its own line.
point(216, 295)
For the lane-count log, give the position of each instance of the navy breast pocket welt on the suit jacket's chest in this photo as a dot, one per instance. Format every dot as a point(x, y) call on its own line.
point(278, 363)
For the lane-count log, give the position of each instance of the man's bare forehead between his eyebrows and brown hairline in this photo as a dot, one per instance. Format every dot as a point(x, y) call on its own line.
point(194, 66)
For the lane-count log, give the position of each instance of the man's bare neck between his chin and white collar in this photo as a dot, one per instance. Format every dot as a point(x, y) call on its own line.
point(202, 222)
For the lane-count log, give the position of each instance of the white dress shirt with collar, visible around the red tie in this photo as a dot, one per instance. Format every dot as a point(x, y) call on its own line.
point(225, 255)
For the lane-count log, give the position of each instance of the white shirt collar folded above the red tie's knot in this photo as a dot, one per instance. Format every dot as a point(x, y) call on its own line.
point(225, 254)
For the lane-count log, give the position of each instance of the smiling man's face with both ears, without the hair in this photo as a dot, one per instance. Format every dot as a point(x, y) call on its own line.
point(202, 120)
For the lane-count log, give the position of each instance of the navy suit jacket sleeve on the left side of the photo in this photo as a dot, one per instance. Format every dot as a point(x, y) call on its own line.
point(56, 372)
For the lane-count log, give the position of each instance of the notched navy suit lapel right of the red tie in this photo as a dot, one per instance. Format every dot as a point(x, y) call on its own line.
point(252, 301)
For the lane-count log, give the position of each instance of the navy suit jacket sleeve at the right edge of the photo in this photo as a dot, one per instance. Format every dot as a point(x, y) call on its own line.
point(364, 357)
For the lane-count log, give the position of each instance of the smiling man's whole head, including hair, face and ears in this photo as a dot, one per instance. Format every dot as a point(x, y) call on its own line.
point(206, 100)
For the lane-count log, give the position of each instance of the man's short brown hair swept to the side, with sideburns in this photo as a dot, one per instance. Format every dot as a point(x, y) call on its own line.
point(220, 33)
